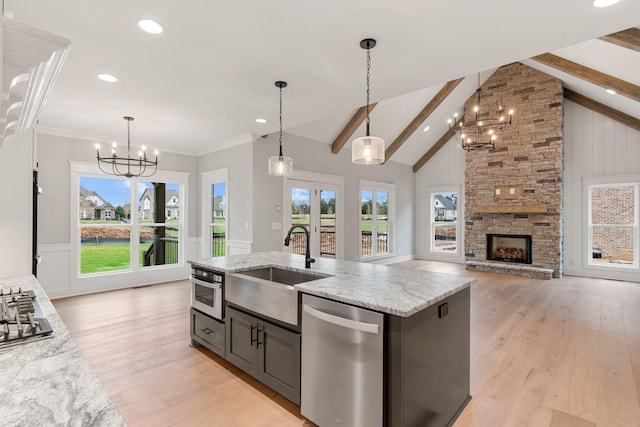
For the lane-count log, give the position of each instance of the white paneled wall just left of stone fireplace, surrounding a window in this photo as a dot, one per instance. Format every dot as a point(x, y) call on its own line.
point(444, 170)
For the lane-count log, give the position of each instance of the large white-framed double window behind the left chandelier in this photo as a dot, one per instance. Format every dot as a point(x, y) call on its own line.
point(112, 238)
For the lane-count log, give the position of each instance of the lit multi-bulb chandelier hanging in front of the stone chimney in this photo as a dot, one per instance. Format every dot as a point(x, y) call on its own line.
point(481, 131)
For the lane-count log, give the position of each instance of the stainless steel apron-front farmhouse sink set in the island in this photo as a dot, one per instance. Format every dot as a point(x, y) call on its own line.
point(269, 291)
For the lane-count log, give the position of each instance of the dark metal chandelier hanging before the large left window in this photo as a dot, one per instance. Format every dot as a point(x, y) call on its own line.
point(127, 166)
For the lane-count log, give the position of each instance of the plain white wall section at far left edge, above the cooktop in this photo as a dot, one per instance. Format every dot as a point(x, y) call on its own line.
point(16, 170)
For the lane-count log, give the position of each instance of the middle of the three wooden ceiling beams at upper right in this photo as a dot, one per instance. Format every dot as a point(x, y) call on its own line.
point(593, 76)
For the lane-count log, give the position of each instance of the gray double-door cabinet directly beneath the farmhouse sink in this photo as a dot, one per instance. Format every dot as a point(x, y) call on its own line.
point(265, 351)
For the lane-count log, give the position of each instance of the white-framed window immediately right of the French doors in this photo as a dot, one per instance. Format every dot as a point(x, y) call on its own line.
point(376, 219)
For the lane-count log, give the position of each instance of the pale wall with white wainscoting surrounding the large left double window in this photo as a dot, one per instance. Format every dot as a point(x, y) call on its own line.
point(56, 273)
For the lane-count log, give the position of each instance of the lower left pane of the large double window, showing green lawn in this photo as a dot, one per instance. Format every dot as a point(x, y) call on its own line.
point(104, 249)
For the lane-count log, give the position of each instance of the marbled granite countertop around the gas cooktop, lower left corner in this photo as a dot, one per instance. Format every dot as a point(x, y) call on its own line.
point(48, 382)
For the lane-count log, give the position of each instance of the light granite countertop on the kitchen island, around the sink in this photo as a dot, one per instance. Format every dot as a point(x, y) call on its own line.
point(378, 287)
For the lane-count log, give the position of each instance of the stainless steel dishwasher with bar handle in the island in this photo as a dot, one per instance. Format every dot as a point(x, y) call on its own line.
point(342, 364)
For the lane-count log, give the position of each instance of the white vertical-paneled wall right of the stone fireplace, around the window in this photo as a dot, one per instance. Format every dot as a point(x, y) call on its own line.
point(594, 146)
